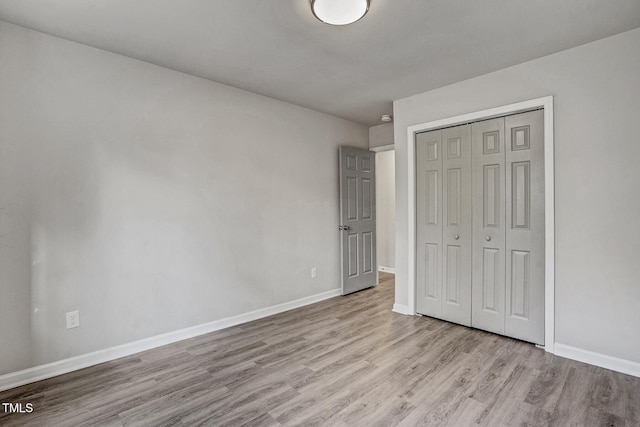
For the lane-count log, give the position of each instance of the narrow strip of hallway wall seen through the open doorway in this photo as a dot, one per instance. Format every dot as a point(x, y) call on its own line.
point(386, 209)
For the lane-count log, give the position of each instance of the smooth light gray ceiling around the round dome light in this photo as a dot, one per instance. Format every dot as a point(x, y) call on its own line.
point(278, 49)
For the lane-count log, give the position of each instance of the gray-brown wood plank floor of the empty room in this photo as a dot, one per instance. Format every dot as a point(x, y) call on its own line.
point(348, 361)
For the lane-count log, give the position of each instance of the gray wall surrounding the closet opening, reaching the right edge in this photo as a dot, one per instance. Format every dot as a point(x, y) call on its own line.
point(597, 106)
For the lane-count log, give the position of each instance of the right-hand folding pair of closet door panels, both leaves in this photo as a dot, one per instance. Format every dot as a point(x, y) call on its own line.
point(508, 226)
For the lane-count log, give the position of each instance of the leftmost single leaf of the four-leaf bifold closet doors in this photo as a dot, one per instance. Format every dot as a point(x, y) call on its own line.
point(429, 223)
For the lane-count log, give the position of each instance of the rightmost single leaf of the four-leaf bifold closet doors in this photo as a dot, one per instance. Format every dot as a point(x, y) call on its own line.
point(525, 226)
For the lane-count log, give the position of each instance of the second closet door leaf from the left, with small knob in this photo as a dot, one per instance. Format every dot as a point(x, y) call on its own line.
point(456, 225)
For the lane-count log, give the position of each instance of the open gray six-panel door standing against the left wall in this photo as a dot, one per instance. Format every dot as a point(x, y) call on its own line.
point(357, 219)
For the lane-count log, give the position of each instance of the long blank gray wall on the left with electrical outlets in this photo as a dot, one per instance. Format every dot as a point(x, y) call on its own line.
point(151, 200)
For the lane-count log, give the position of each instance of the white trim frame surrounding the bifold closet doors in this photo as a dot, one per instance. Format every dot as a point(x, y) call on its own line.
point(549, 219)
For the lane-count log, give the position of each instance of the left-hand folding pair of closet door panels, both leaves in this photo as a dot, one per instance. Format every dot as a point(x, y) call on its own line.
point(443, 228)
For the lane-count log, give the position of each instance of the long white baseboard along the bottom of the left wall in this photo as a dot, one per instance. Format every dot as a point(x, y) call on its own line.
point(60, 367)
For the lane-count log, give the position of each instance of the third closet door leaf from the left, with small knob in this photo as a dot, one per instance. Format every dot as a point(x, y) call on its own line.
point(488, 305)
